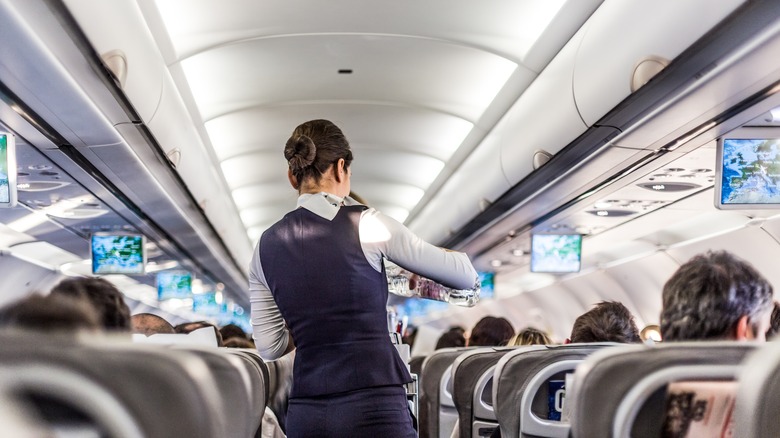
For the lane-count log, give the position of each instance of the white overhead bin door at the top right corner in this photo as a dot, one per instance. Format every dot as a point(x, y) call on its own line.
point(620, 35)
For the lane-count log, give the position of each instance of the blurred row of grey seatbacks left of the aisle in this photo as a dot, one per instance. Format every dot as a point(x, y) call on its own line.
point(114, 388)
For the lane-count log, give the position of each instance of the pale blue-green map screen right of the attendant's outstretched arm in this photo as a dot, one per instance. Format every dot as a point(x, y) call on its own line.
point(556, 253)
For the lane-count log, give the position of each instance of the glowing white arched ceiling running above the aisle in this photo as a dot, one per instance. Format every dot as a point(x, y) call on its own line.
point(424, 74)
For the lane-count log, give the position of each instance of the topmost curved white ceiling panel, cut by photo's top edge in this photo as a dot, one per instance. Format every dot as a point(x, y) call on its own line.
point(517, 29)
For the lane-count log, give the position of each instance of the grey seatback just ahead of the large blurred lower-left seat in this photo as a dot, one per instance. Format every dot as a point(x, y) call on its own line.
point(232, 378)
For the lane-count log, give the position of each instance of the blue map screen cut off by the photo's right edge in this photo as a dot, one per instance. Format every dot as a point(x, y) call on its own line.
point(750, 171)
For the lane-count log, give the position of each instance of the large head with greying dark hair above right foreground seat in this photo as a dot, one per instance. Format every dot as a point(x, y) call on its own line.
point(716, 296)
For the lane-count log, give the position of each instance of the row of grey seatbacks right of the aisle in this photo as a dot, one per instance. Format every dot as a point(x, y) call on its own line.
point(615, 390)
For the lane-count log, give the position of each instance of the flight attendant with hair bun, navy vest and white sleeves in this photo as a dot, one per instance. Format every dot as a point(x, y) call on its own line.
point(319, 272)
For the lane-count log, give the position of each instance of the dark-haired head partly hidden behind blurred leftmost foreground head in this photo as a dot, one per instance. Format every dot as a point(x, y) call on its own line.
point(104, 296)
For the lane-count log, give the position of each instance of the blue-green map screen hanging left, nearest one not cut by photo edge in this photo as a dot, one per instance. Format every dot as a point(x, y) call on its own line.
point(118, 254)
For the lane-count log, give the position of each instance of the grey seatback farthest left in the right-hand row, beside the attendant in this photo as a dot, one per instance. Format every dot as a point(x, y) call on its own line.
point(433, 369)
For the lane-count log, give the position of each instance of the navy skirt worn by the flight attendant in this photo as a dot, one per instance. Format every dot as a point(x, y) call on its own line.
point(372, 413)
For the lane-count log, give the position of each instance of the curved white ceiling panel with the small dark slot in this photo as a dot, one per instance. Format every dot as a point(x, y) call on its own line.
point(385, 69)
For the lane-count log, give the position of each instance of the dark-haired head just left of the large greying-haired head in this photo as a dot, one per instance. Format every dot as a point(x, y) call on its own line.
point(608, 321)
